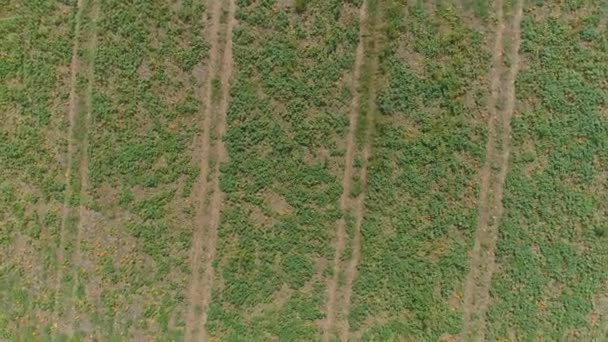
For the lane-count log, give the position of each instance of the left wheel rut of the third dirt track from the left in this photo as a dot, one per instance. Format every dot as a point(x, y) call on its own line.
point(332, 287)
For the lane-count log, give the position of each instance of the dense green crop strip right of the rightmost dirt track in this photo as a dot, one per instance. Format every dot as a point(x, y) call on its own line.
point(552, 248)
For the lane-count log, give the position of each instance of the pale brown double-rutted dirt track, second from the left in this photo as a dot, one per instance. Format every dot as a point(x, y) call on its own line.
point(207, 215)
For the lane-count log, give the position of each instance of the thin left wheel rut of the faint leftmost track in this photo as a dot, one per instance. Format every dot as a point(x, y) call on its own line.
point(72, 113)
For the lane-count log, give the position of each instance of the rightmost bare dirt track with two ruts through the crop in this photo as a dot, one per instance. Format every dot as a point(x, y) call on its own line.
point(483, 263)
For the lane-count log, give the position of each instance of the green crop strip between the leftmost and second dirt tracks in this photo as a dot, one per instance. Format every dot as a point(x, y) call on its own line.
point(142, 168)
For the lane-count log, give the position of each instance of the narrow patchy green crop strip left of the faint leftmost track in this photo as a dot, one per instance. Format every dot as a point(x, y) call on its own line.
point(35, 50)
